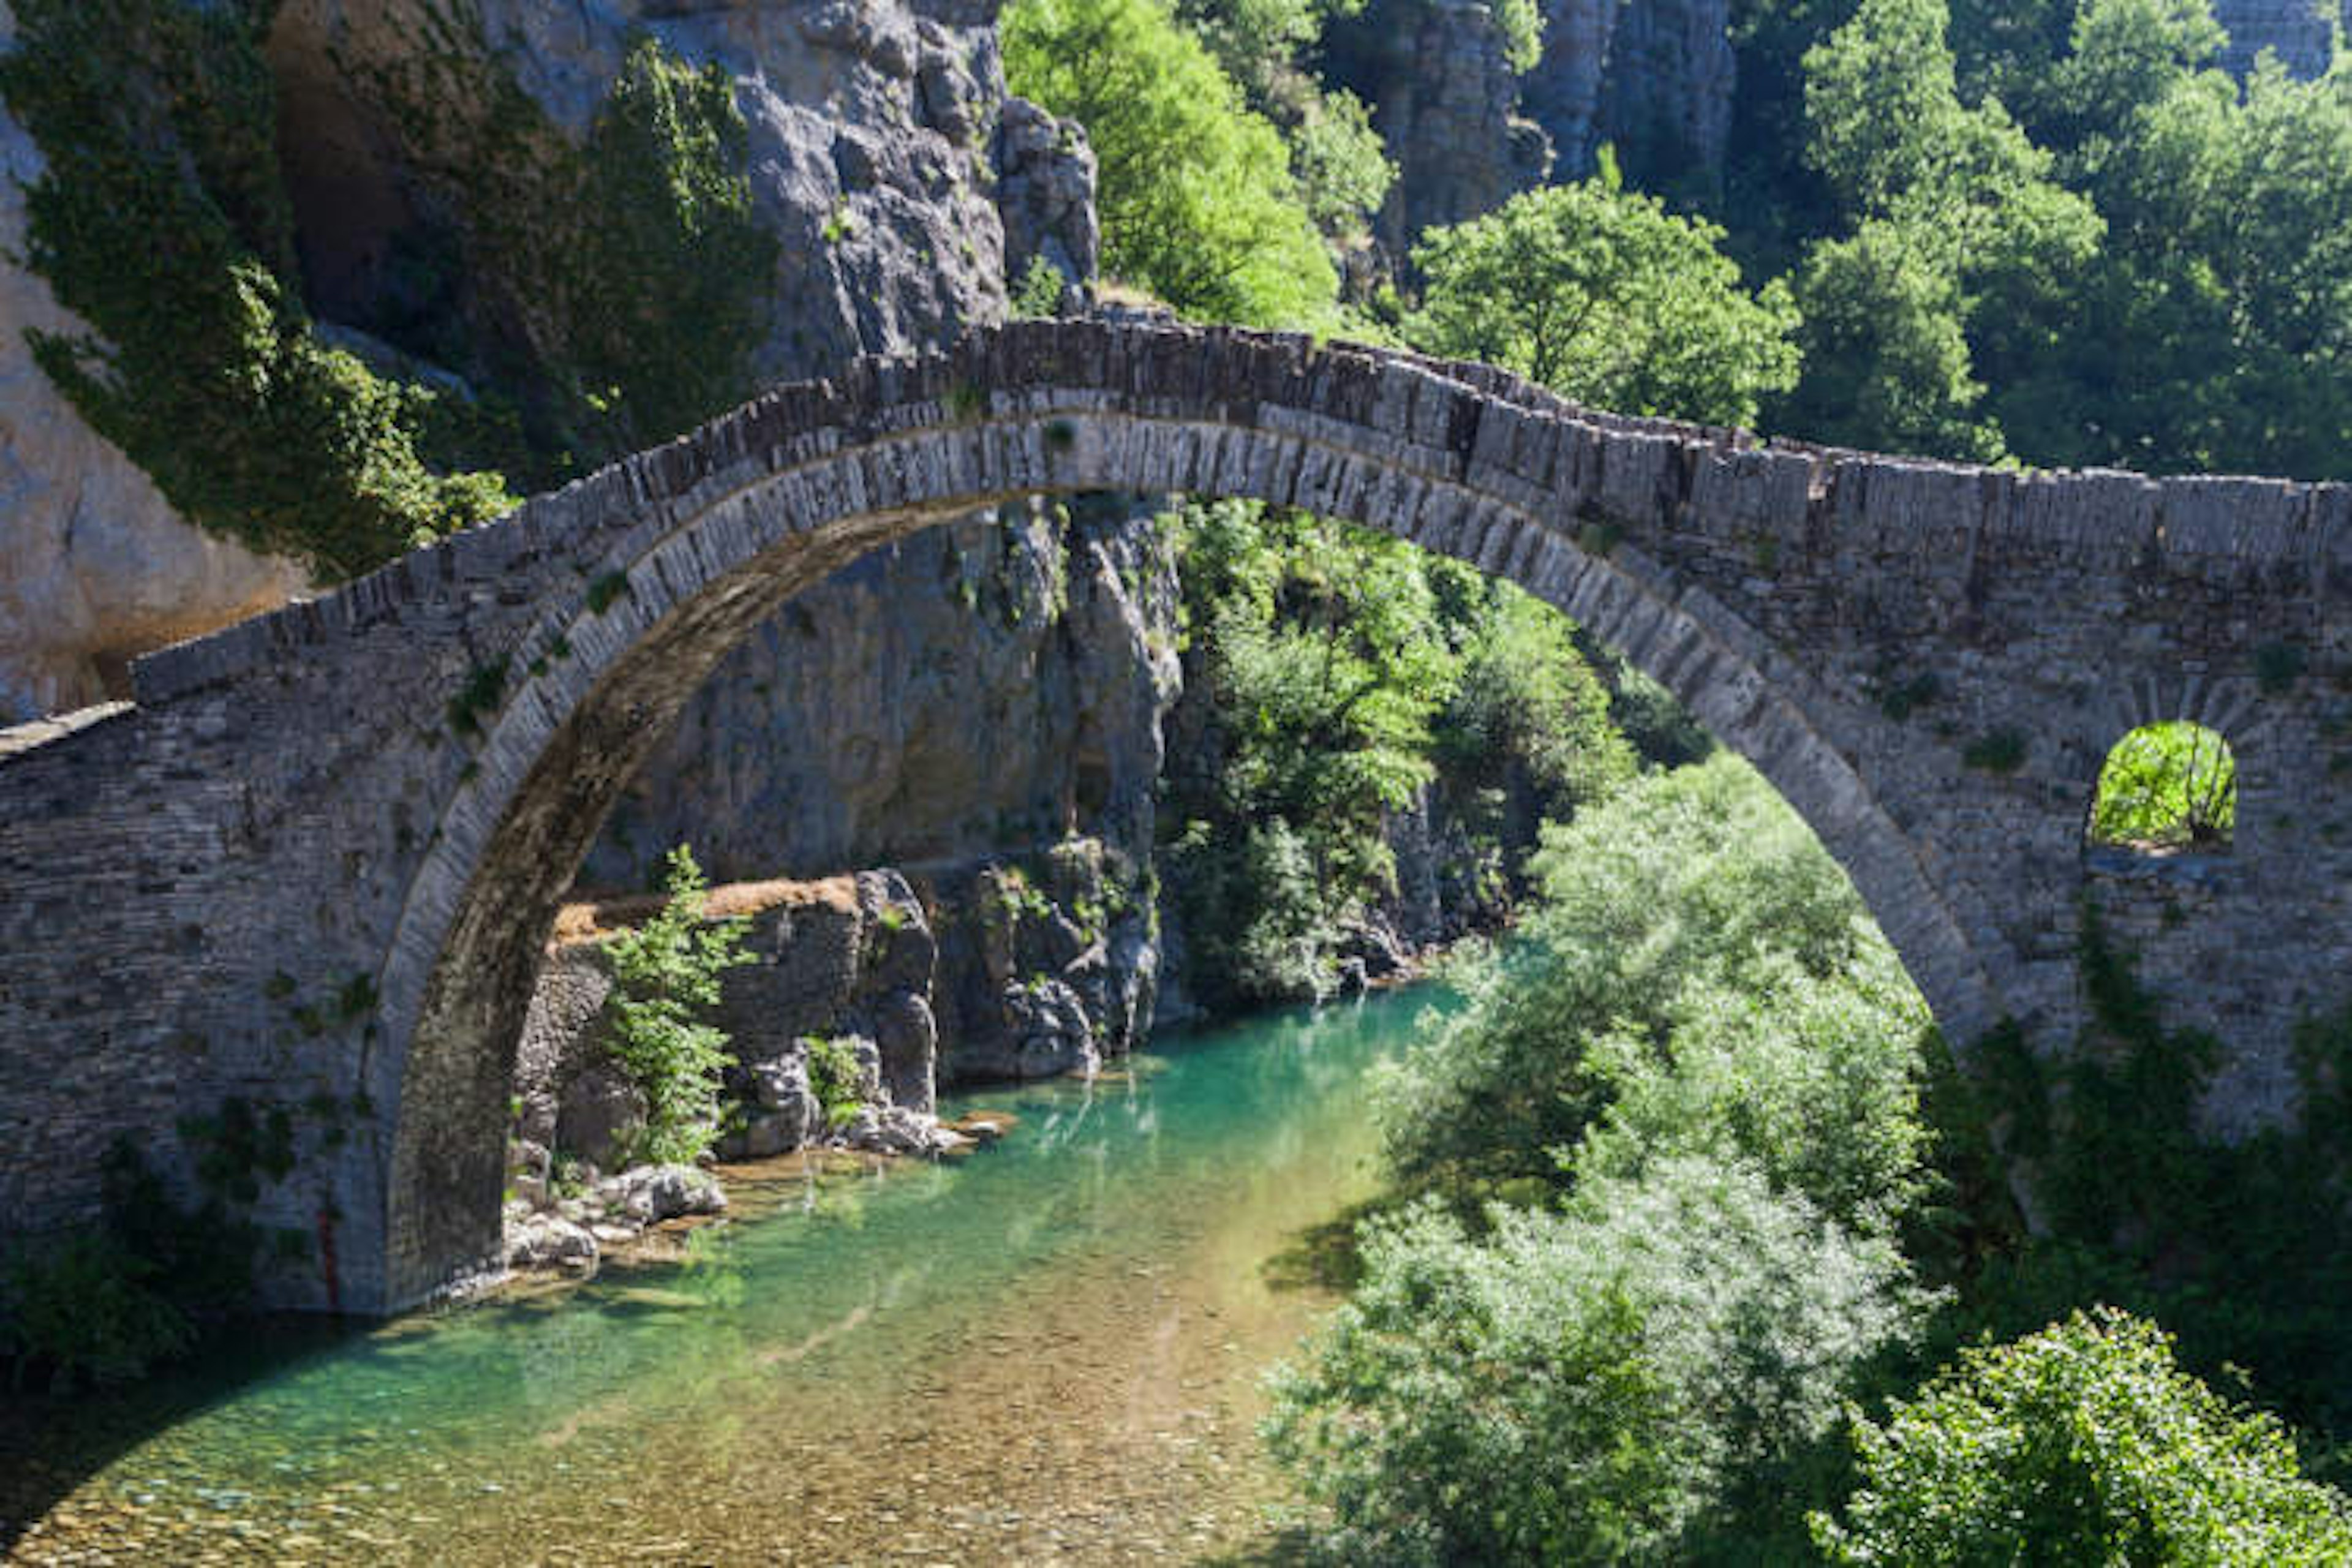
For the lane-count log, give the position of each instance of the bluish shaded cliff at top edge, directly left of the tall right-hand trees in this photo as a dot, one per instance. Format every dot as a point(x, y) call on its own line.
point(1652, 79)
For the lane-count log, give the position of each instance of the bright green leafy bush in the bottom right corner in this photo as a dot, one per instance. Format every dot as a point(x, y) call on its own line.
point(2083, 1445)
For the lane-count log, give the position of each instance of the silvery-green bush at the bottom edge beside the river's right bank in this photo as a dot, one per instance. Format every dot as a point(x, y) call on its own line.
point(1586, 1386)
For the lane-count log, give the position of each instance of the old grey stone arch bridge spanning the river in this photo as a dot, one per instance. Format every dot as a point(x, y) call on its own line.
point(316, 859)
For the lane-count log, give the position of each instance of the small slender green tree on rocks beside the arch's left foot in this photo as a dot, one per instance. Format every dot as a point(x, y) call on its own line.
point(664, 981)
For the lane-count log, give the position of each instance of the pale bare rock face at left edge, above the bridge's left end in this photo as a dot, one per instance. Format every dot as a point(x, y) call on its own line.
point(95, 565)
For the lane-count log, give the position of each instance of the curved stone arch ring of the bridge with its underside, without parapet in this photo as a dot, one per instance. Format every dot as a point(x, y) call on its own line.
point(702, 575)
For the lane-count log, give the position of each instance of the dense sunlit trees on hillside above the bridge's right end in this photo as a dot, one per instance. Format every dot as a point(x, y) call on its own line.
point(2050, 229)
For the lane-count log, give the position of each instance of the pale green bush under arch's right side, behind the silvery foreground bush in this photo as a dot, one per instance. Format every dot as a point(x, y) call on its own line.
point(1692, 942)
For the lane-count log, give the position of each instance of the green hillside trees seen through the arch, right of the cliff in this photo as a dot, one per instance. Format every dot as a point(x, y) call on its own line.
point(1342, 674)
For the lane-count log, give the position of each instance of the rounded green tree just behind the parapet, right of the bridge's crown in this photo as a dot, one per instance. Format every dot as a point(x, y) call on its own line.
point(1608, 297)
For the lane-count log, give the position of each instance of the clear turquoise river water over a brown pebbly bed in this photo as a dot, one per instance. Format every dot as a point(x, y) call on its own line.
point(1050, 1351)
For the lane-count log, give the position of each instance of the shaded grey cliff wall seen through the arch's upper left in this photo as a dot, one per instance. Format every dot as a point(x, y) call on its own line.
point(987, 685)
